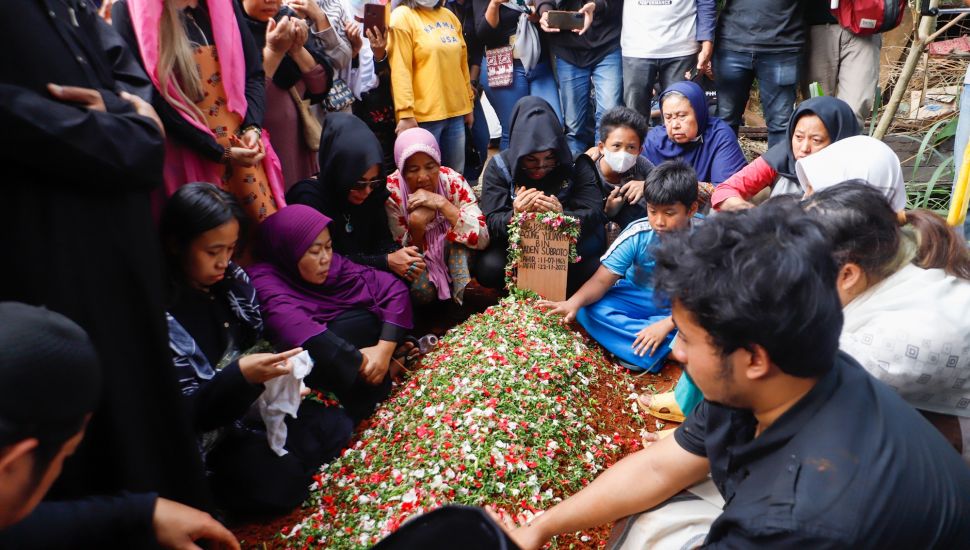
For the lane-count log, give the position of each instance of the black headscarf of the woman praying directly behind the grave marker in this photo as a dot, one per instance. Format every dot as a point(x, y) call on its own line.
point(534, 128)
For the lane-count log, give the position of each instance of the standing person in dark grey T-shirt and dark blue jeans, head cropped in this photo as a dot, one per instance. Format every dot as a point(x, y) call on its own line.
point(760, 39)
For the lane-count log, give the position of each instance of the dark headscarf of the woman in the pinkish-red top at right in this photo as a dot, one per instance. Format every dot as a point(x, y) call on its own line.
point(836, 115)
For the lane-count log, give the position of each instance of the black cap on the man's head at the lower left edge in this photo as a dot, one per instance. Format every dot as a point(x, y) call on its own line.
point(50, 377)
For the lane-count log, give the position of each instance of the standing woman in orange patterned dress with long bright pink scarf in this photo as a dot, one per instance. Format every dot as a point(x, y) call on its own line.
point(210, 95)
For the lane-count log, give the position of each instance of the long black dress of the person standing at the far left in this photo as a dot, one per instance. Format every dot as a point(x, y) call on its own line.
point(77, 237)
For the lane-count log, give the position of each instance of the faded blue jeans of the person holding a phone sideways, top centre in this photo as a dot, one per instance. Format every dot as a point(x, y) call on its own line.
point(574, 87)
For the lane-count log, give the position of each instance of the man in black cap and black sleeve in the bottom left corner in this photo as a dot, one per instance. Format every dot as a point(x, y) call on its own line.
point(50, 380)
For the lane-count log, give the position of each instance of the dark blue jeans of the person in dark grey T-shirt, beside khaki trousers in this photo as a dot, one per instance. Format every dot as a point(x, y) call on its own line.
point(777, 75)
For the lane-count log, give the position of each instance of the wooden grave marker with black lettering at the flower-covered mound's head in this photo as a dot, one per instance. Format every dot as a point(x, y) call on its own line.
point(544, 262)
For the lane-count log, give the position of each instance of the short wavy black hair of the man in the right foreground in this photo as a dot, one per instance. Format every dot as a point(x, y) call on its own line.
point(763, 276)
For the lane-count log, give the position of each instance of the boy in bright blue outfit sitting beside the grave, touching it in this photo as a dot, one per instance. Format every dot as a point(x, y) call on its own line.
point(616, 305)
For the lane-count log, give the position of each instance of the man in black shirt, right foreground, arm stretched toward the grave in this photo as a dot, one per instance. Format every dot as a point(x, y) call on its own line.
point(807, 449)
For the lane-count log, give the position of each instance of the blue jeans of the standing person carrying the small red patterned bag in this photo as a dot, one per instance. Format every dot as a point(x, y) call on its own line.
point(538, 82)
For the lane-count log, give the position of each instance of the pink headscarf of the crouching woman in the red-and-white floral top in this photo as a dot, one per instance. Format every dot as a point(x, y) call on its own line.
point(419, 140)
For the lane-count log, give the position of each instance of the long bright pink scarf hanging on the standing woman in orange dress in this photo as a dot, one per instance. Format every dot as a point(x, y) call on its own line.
point(181, 164)
